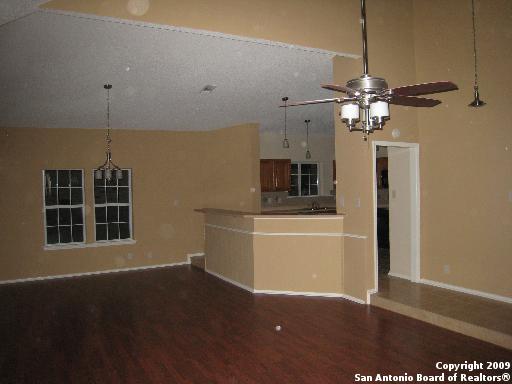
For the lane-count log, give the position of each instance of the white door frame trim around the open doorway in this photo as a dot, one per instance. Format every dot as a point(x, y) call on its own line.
point(415, 198)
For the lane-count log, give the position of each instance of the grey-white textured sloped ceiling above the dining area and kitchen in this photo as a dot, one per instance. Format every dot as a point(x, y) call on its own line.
point(57, 64)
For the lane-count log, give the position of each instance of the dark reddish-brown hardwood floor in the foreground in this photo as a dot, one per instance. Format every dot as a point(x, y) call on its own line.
point(181, 325)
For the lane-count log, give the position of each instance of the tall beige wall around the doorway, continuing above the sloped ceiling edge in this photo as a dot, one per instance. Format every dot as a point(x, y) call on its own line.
point(465, 155)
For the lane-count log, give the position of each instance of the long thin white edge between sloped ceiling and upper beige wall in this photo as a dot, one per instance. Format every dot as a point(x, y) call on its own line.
point(199, 32)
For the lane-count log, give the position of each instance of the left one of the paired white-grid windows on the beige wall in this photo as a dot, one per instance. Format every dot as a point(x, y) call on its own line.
point(63, 206)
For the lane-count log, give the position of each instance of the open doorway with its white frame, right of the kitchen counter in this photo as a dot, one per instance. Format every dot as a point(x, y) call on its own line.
point(396, 210)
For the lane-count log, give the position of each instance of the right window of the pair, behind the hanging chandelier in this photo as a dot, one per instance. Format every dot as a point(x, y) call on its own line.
point(113, 208)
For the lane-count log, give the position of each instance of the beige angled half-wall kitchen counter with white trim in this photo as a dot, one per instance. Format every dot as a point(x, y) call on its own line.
point(282, 252)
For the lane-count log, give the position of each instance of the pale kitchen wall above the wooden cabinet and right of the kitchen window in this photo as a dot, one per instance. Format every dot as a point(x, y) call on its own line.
point(321, 149)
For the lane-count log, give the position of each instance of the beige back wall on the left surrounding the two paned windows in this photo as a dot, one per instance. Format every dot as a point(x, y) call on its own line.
point(173, 174)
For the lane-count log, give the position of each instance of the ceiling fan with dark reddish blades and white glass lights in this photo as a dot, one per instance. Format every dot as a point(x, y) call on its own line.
point(368, 97)
